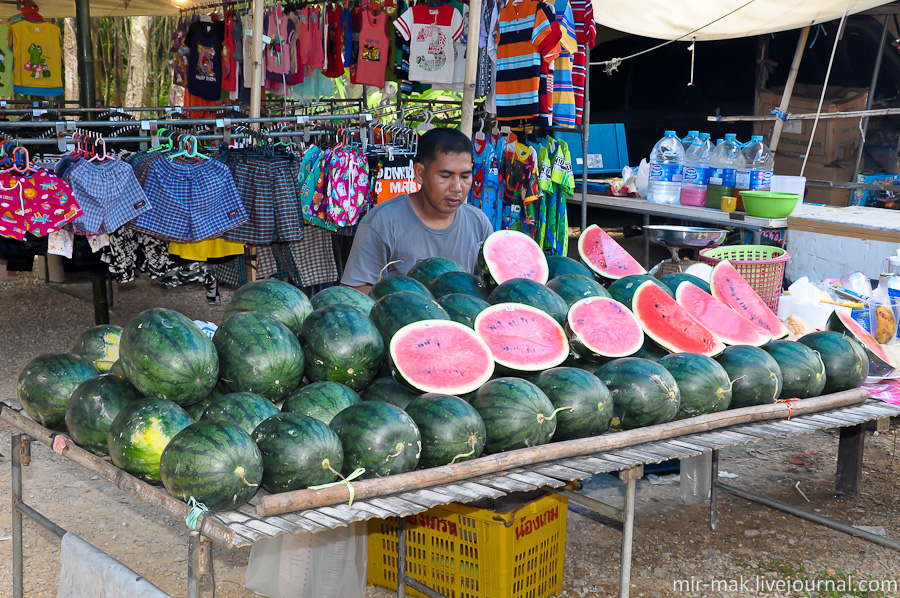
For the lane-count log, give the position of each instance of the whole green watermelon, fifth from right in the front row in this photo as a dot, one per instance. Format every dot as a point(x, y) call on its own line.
point(643, 392)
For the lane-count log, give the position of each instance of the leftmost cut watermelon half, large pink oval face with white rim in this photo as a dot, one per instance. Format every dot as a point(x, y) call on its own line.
point(441, 356)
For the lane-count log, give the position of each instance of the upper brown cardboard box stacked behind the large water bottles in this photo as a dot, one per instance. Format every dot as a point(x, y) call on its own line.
point(836, 138)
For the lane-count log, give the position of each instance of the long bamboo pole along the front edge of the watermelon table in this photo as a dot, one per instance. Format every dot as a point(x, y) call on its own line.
point(300, 500)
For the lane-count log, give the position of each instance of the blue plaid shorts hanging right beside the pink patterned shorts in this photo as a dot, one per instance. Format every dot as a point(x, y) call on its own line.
point(109, 194)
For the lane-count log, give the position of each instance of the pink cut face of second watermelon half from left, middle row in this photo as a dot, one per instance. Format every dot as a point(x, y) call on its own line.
point(522, 337)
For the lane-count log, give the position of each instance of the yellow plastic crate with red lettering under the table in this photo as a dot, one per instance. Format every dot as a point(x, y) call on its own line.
point(467, 552)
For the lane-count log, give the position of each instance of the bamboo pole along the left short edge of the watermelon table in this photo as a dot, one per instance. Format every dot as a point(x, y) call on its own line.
point(207, 526)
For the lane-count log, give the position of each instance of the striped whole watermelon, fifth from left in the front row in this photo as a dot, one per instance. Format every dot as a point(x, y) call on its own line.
point(516, 413)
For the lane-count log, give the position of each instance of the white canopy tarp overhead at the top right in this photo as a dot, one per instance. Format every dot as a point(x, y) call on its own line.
point(665, 19)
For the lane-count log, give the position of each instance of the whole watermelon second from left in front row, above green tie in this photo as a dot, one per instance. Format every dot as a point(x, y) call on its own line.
point(297, 452)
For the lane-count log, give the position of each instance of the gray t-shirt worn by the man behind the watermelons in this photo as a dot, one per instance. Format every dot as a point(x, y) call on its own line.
point(392, 231)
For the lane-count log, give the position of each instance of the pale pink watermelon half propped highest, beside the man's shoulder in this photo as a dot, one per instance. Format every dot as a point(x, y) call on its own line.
point(508, 254)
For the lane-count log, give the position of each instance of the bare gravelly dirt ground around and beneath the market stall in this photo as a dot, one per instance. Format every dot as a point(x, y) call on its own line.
point(673, 544)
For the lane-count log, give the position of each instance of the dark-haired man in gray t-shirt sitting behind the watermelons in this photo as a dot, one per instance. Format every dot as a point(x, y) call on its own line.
point(435, 221)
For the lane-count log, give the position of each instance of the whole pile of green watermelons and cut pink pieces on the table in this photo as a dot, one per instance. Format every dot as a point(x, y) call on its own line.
point(432, 368)
